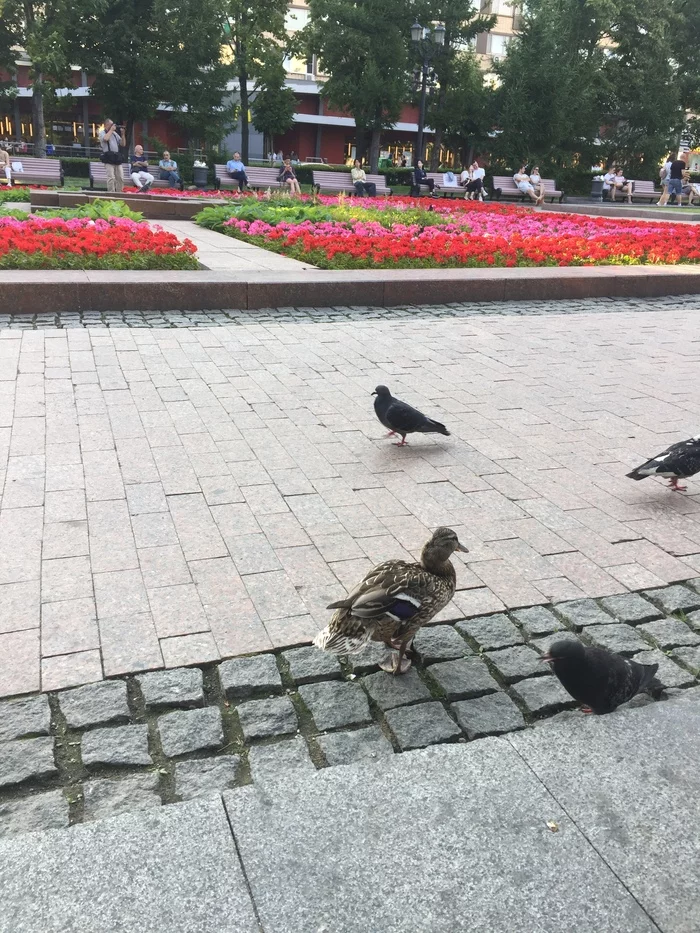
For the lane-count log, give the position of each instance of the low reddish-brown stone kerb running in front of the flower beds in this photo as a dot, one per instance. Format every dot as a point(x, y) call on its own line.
point(30, 292)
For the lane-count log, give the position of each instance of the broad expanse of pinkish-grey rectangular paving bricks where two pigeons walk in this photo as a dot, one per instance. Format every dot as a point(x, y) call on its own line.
point(175, 495)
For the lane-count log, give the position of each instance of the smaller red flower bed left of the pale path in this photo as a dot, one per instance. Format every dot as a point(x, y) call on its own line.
point(80, 243)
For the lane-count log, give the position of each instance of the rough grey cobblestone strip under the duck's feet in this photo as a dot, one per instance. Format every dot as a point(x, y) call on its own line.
point(164, 736)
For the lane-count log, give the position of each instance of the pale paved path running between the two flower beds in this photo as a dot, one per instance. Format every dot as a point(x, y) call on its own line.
point(222, 253)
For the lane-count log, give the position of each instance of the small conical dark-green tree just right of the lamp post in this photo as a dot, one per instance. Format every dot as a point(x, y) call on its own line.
point(463, 115)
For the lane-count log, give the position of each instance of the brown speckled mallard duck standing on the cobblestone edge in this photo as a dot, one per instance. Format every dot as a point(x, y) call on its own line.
point(393, 601)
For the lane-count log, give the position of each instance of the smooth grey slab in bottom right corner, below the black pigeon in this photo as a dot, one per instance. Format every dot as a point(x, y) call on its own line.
point(631, 783)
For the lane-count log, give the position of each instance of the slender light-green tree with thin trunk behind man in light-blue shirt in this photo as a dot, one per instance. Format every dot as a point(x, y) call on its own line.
point(255, 31)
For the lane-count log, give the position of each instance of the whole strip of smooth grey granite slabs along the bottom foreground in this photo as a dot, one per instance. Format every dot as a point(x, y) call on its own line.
point(579, 825)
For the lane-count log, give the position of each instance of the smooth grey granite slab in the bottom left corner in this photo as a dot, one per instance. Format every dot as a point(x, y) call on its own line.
point(173, 869)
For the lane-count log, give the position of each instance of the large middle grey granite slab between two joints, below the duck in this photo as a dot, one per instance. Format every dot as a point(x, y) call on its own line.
point(463, 847)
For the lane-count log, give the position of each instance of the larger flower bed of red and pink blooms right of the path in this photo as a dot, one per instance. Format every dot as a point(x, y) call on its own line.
point(349, 233)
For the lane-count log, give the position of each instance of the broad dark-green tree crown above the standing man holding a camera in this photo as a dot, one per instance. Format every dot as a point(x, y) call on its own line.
point(150, 52)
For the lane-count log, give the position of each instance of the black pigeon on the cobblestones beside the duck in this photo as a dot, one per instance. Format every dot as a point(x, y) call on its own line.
point(596, 677)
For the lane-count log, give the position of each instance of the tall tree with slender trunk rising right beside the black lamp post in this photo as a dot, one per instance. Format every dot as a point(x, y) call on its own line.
point(462, 24)
